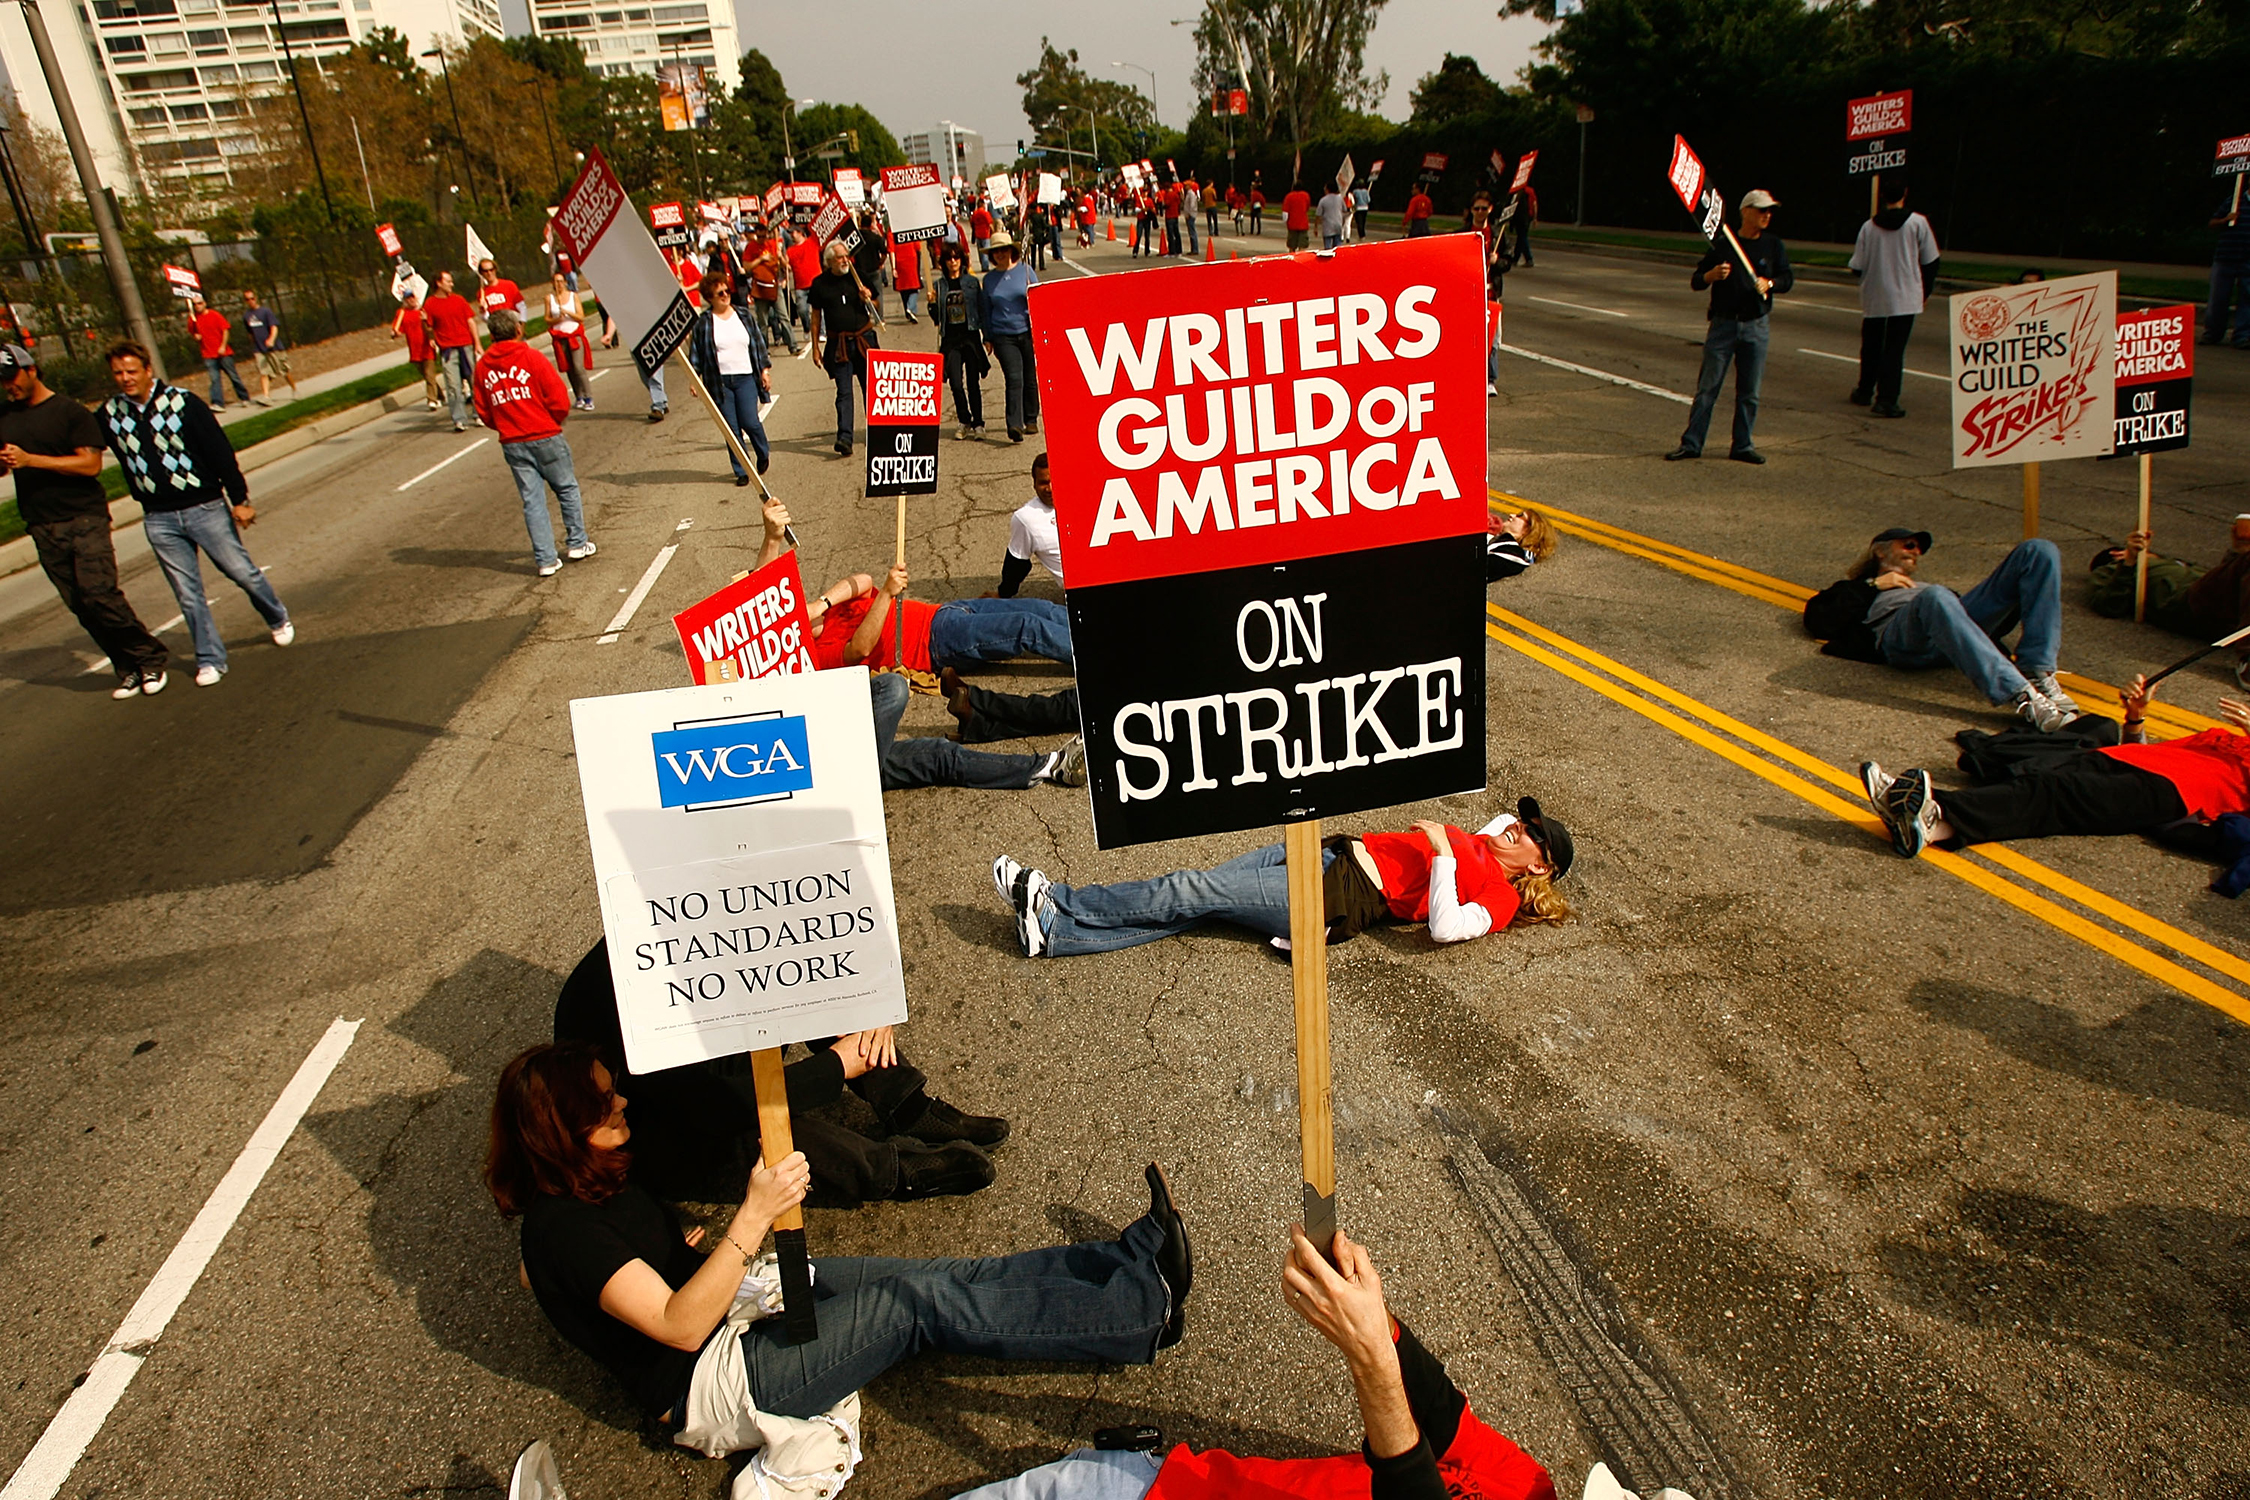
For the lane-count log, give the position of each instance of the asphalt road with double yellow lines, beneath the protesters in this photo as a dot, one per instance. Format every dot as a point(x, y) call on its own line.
point(1790, 1168)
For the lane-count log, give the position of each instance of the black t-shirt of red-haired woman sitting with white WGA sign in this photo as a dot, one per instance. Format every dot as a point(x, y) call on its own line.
point(573, 1249)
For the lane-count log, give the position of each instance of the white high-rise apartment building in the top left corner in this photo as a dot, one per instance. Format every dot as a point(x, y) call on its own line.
point(159, 84)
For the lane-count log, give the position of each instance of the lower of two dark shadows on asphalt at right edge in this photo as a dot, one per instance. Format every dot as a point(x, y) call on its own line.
point(2157, 1292)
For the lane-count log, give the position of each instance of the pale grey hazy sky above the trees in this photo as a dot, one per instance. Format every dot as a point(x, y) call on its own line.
point(917, 64)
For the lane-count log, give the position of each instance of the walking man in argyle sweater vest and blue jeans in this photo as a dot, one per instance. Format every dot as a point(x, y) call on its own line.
point(192, 491)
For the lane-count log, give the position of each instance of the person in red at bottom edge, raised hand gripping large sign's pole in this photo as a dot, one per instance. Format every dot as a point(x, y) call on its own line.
point(1423, 1443)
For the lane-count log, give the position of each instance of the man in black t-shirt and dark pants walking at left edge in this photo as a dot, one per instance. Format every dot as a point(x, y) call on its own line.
point(55, 451)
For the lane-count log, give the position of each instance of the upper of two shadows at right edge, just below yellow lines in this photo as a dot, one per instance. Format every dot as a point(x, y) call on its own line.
point(2170, 1049)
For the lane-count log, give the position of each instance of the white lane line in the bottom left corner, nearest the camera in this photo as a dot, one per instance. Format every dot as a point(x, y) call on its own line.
point(60, 1449)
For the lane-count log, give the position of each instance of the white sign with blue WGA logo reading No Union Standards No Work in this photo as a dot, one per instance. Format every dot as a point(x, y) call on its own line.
point(741, 862)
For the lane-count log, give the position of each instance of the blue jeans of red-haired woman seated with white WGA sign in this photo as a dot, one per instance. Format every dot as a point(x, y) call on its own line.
point(1099, 1301)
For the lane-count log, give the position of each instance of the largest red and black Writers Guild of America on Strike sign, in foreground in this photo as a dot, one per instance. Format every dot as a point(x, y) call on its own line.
point(1272, 509)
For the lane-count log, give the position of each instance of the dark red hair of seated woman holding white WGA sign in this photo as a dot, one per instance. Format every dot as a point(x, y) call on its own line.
point(543, 1117)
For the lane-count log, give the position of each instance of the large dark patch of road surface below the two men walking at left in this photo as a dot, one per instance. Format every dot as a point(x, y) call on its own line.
point(255, 779)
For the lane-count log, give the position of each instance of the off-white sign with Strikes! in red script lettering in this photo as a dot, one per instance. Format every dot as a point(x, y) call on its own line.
point(2033, 370)
